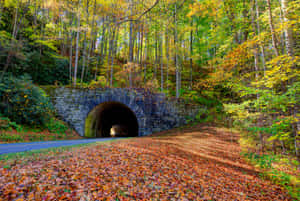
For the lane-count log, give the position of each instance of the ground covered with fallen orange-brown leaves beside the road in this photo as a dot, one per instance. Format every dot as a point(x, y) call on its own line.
point(201, 163)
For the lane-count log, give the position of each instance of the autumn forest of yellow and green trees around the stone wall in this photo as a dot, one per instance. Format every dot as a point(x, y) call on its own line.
point(237, 58)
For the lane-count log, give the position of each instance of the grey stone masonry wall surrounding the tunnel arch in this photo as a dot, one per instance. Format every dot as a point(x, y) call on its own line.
point(154, 111)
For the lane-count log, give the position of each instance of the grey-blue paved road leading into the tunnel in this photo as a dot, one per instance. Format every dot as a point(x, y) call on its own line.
point(20, 147)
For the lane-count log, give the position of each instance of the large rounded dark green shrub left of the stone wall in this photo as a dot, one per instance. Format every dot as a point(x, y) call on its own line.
point(23, 102)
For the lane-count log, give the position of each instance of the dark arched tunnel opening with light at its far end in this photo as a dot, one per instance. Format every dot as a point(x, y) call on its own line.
point(111, 117)
